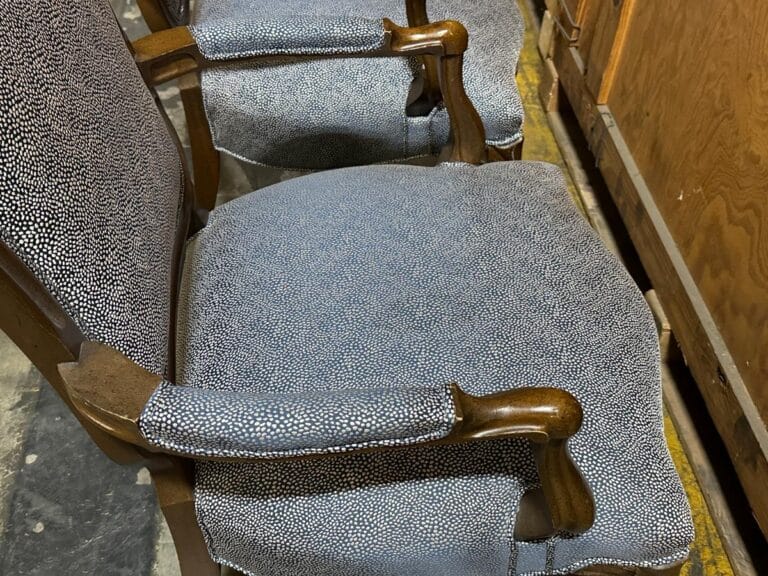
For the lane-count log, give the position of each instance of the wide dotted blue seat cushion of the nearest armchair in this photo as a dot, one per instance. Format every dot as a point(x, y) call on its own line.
point(392, 276)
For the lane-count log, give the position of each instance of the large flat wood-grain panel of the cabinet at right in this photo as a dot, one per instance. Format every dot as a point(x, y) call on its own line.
point(690, 98)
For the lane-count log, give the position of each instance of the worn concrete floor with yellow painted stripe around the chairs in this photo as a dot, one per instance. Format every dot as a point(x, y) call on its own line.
point(65, 509)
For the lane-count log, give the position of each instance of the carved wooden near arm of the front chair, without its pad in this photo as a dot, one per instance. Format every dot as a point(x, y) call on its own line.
point(110, 391)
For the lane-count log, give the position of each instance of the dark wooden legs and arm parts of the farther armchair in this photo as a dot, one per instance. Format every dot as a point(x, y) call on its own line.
point(424, 96)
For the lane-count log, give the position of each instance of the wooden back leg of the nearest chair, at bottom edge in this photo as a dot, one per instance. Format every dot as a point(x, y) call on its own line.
point(173, 480)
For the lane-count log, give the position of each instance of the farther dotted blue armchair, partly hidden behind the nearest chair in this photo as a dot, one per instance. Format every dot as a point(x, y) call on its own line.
point(328, 112)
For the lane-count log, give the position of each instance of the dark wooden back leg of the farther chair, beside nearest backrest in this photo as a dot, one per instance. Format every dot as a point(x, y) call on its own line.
point(205, 157)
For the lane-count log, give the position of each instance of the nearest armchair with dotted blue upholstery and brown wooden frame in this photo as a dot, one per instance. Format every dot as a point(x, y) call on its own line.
point(379, 370)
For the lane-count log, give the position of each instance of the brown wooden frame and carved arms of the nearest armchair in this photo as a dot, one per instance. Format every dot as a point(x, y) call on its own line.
point(107, 392)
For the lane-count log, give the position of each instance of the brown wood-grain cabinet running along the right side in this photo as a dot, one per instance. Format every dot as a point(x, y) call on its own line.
point(672, 99)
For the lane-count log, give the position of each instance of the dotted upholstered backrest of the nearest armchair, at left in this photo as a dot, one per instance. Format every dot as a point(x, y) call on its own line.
point(91, 180)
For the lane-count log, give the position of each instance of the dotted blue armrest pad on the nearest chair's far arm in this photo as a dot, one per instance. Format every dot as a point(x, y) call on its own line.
point(238, 37)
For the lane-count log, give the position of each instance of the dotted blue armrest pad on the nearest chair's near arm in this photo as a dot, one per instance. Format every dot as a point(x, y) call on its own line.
point(221, 424)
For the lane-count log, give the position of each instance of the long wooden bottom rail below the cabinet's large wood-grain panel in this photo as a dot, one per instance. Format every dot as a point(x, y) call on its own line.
point(718, 377)
